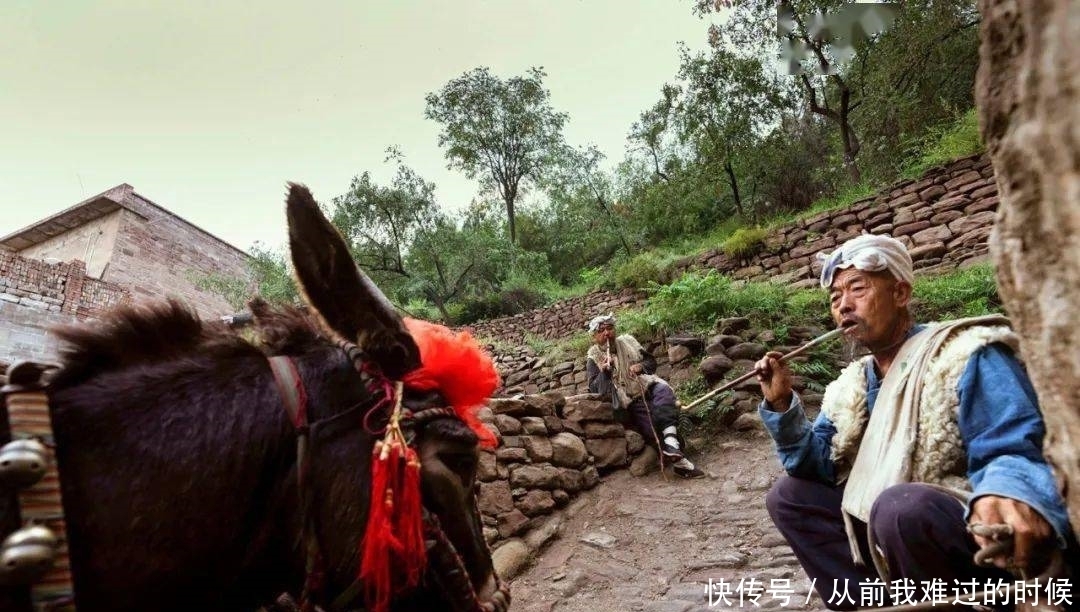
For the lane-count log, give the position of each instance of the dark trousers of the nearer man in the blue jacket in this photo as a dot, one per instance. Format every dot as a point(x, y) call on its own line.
point(921, 532)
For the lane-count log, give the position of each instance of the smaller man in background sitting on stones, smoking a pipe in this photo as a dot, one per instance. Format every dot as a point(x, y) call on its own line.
point(623, 370)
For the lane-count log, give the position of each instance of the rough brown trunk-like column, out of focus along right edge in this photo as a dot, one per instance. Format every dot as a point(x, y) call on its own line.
point(1029, 97)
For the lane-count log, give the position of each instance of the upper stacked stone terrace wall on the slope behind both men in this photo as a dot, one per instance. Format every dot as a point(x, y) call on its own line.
point(944, 217)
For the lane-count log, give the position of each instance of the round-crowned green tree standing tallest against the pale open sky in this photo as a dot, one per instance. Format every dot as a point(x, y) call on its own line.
point(503, 132)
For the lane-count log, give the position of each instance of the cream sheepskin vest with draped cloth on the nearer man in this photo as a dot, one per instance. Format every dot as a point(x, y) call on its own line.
point(914, 436)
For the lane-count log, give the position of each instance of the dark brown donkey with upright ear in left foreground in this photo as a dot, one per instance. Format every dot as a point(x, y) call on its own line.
point(179, 460)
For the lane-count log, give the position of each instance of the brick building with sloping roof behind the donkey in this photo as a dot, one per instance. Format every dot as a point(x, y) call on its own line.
point(112, 248)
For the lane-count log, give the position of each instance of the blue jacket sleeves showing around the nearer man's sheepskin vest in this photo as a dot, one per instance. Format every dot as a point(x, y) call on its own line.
point(1000, 421)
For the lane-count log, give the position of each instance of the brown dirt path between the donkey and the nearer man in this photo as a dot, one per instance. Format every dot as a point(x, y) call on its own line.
point(653, 546)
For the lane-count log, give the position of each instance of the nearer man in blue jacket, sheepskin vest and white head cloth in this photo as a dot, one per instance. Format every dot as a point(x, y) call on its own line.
point(935, 430)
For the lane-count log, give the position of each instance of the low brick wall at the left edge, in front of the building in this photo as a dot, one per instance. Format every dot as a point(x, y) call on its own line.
point(36, 296)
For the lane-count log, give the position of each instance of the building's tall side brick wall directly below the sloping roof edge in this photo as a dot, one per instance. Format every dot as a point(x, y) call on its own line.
point(157, 254)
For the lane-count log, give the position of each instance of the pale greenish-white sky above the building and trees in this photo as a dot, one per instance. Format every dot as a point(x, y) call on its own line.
point(209, 107)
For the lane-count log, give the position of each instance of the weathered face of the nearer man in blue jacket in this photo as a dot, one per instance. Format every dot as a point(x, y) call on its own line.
point(869, 306)
